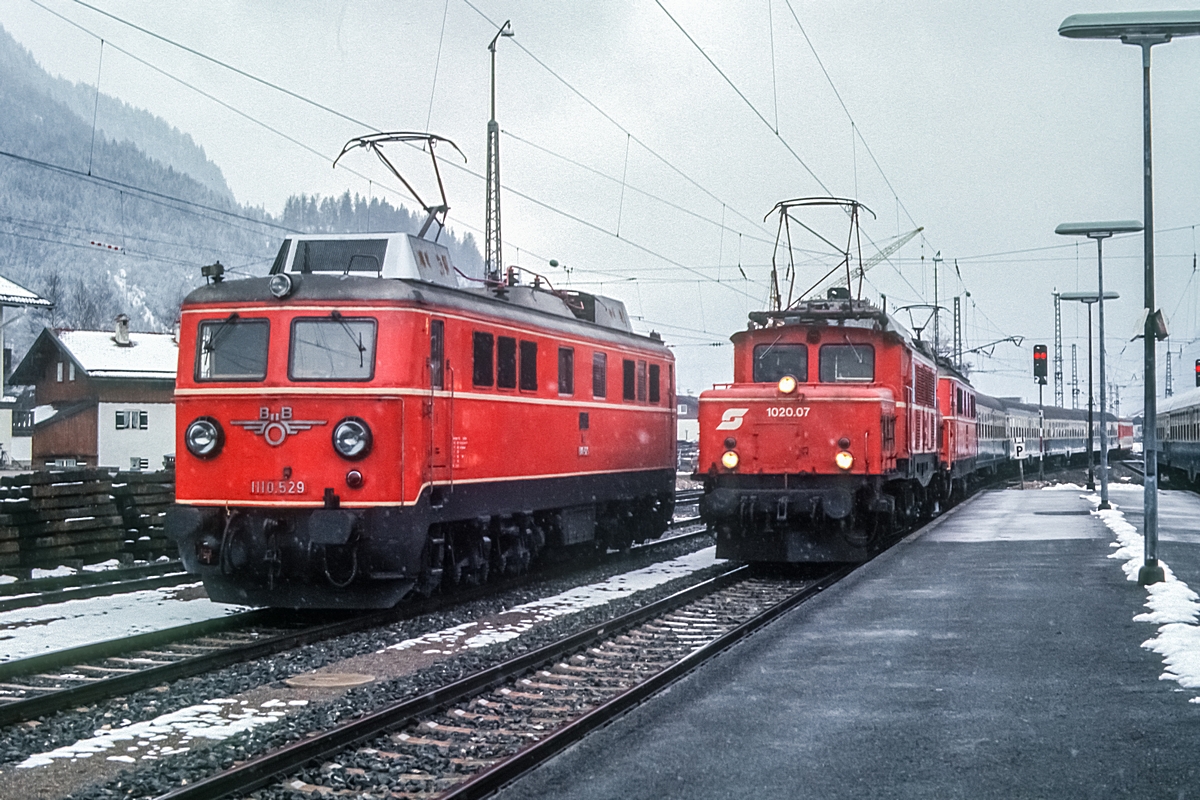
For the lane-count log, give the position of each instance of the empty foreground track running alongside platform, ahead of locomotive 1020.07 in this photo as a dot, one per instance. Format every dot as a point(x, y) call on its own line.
point(469, 738)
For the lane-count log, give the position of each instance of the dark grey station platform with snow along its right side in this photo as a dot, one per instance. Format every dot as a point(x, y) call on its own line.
point(995, 655)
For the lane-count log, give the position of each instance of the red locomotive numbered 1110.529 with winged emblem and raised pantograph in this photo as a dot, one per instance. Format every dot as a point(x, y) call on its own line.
point(369, 423)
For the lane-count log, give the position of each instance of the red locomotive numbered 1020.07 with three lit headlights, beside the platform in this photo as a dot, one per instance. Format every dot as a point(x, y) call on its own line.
point(830, 435)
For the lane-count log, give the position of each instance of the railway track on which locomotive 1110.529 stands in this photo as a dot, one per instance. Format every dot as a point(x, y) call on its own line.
point(79, 677)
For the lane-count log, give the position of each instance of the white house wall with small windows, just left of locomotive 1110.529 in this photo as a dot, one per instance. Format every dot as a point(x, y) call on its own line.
point(136, 431)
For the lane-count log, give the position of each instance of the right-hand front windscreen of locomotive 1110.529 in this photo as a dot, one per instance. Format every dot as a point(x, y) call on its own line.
point(333, 348)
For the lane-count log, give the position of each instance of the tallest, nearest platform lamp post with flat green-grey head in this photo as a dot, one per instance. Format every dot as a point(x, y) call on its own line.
point(1144, 29)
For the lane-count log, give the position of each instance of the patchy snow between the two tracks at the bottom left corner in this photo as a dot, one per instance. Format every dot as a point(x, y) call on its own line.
point(167, 735)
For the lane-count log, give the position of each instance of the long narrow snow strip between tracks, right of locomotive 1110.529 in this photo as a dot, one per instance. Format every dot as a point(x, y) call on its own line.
point(519, 619)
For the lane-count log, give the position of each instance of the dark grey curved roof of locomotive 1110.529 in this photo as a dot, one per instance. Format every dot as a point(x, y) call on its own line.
point(518, 305)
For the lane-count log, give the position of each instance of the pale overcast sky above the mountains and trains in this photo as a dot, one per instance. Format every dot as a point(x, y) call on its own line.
point(628, 158)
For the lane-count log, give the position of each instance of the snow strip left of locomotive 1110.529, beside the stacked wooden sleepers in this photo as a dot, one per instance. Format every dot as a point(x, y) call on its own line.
point(34, 631)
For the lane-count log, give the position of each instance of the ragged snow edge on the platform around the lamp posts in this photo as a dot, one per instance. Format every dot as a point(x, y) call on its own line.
point(1173, 605)
